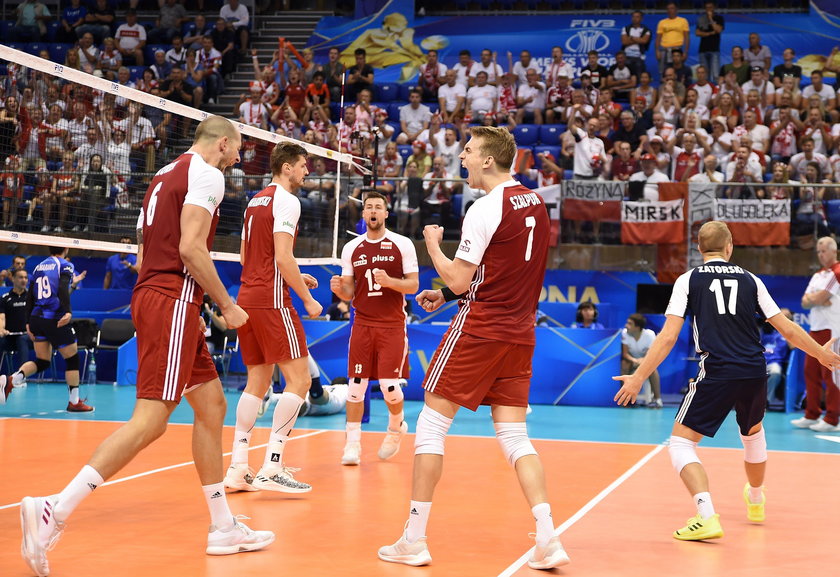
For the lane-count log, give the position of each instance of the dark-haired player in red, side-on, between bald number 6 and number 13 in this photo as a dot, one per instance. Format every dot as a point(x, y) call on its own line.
point(273, 333)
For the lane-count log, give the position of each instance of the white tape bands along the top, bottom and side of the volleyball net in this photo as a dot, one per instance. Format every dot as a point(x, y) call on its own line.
point(108, 87)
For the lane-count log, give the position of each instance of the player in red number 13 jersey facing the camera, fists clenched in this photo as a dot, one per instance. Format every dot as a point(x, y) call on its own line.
point(377, 270)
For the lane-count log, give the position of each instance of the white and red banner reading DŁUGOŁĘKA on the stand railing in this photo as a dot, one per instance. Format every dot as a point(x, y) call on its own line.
point(755, 222)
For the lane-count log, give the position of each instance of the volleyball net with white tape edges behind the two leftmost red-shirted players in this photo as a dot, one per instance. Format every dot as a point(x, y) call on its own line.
point(77, 152)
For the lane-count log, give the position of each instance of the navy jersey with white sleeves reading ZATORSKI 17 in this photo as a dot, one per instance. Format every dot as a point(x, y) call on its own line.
point(724, 299)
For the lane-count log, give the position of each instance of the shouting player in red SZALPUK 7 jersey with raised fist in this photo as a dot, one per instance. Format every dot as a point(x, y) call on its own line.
point(485, 356)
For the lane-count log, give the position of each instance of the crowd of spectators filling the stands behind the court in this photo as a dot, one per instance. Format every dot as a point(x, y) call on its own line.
point(738, 120)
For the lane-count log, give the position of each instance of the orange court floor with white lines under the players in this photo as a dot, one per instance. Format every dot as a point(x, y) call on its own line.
point(616, 505)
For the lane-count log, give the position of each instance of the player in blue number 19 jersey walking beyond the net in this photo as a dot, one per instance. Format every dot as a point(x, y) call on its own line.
point(49, 314)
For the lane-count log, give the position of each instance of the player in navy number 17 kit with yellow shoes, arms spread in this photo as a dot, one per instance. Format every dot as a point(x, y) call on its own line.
point(723, 299)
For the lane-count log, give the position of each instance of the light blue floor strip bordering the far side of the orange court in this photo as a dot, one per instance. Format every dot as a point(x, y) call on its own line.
point(596, 424)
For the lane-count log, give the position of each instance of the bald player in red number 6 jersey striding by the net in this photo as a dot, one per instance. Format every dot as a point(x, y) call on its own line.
point(180, 215)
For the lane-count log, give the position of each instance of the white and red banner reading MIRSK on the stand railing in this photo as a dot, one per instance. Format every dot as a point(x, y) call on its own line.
point(660, 222)
